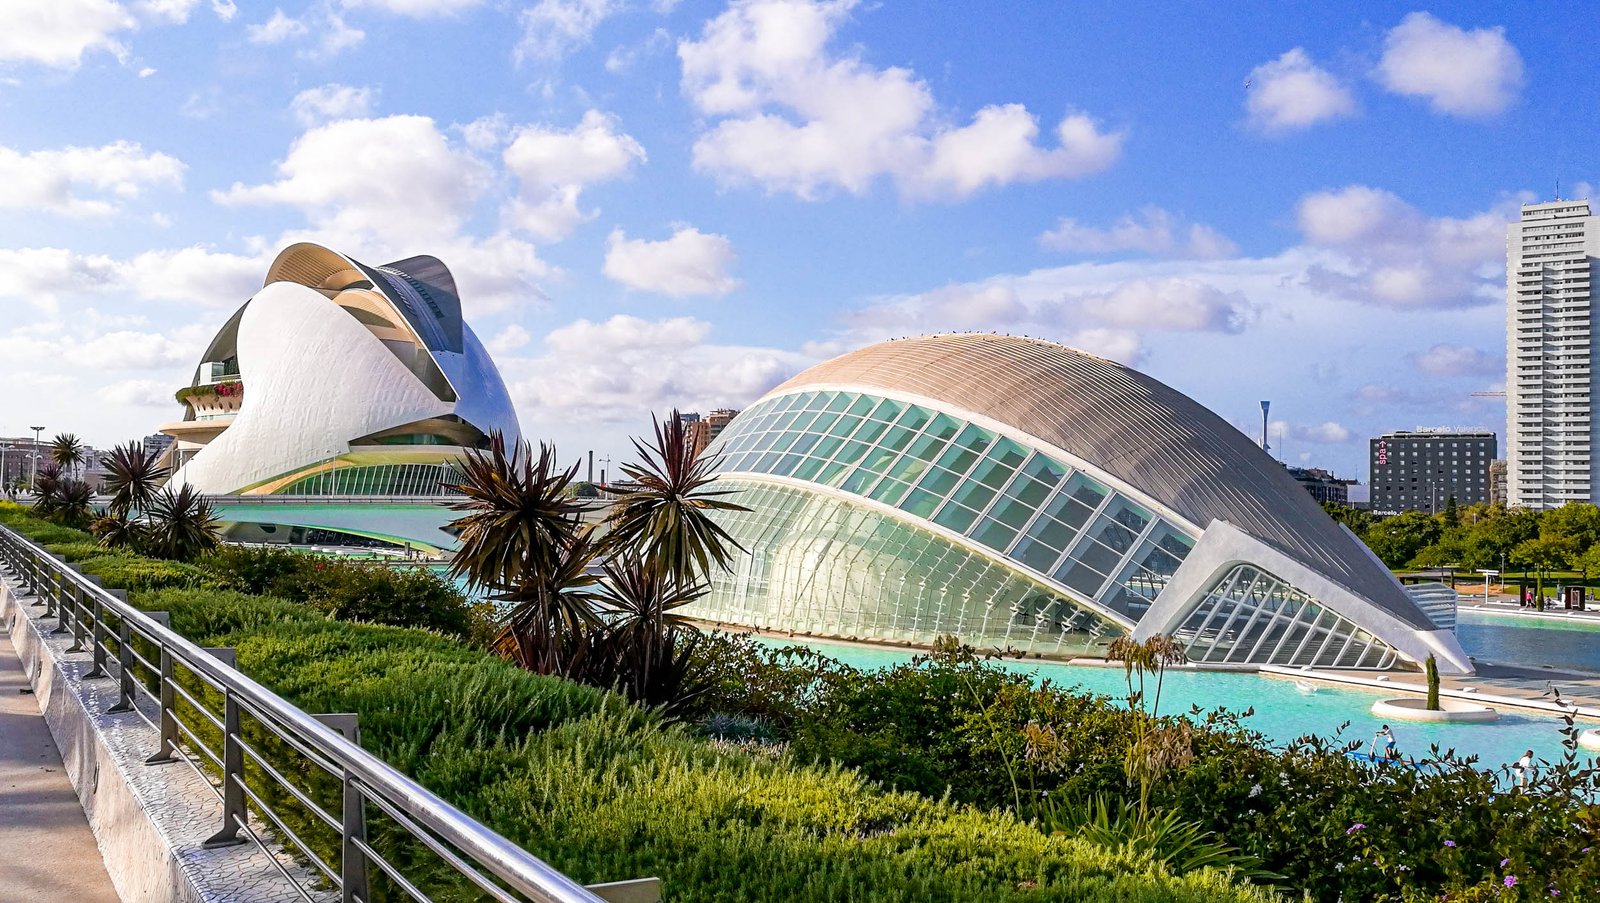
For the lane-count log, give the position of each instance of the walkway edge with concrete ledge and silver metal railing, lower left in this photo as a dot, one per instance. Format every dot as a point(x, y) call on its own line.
point(198, 784)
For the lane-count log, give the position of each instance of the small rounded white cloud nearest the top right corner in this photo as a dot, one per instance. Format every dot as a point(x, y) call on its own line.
point(1460, 73)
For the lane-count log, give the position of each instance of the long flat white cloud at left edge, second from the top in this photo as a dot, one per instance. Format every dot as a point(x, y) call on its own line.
point(84, 182)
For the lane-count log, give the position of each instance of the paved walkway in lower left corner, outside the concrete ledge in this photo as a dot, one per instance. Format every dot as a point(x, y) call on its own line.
point(47, 849)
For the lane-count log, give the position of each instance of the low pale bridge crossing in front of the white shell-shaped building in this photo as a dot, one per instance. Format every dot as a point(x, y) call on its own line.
point(417, 521)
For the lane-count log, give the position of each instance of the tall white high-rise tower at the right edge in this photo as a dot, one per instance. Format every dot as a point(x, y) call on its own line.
point(1550, 355)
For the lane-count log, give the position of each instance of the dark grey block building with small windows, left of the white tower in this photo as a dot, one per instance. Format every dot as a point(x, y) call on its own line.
point(1423, 468)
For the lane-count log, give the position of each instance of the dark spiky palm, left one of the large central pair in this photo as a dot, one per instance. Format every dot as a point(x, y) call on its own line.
point(524, 544)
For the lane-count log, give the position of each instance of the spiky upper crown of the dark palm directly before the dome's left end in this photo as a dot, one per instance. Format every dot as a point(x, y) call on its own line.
point(668, 518)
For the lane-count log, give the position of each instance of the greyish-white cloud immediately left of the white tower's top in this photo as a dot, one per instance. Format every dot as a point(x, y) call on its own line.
point(1399, 257)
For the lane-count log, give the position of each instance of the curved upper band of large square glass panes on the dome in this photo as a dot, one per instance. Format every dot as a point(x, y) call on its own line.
point(993, 489)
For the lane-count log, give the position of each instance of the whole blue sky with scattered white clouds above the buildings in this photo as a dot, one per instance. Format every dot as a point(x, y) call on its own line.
point(654, 204)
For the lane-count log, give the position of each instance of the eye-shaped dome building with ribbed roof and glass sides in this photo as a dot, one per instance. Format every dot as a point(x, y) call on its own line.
point(1025, 496)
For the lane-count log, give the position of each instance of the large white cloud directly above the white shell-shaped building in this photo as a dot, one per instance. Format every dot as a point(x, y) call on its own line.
point(394, 179)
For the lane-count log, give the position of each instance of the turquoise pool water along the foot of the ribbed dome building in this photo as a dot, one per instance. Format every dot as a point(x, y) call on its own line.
point(1282, 710)
